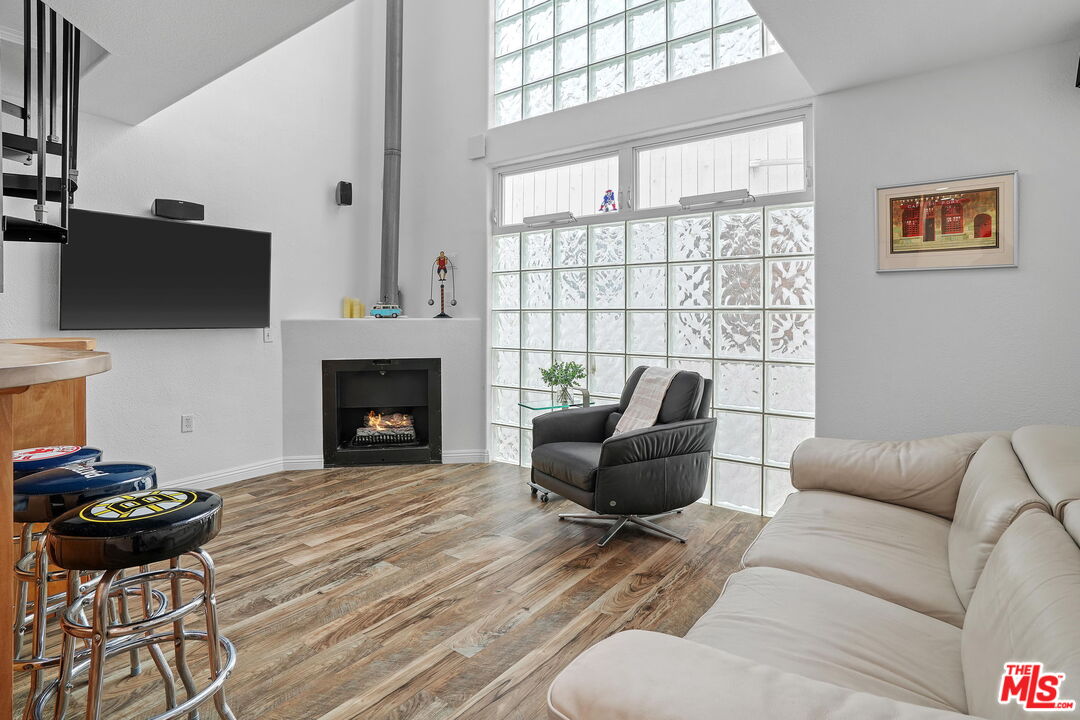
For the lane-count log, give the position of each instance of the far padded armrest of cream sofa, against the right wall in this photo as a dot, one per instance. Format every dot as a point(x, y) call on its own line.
point(923, 474)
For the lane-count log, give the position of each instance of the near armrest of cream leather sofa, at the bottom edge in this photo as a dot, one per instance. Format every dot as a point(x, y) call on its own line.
point(649, 676)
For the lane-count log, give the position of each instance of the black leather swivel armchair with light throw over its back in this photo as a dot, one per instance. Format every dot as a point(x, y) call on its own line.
point(636, 477)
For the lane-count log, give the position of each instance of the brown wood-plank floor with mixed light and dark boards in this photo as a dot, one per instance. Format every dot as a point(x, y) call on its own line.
point(435, 592)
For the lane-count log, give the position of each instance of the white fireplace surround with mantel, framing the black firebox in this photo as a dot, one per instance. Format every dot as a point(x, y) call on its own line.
point(306, 344)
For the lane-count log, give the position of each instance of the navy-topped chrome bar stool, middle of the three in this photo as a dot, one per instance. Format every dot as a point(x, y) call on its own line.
point(40, 498)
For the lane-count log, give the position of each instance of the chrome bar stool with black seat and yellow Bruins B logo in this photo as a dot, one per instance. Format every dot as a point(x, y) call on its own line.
point(124, 533)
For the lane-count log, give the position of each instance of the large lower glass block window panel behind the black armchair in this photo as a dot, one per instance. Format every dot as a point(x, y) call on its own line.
point(730, 294)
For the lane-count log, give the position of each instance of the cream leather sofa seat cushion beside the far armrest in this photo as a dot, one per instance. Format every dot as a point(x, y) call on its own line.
point(895, 553)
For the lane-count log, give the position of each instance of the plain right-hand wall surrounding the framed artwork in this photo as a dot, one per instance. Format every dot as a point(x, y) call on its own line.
point(919, 354)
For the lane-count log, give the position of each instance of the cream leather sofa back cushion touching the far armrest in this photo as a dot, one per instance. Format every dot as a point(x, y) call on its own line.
point(994, 493)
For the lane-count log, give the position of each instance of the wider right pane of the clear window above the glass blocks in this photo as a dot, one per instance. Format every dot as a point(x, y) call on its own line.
point(764, 161)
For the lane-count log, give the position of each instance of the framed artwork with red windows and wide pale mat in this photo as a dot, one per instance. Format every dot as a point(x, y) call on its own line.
point(964, 223)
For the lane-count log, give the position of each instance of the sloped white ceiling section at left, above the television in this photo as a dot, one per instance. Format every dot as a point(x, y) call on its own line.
point(163, 51)
